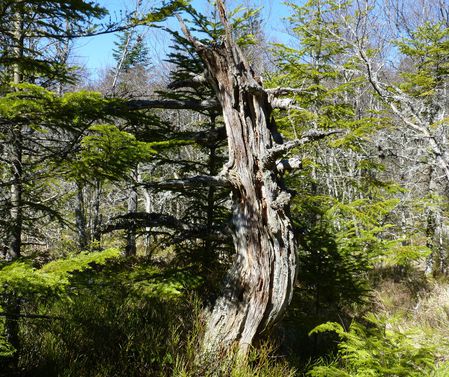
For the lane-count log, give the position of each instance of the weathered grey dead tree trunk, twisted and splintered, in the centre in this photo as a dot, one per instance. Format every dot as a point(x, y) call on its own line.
point(260, 283)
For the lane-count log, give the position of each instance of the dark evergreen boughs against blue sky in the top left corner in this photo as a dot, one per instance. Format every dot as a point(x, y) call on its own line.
point(44, 22)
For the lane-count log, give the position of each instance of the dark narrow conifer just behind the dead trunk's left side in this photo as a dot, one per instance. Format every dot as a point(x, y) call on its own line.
point(206, 209)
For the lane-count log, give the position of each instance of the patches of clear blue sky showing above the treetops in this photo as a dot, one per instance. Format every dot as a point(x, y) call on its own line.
point(96, 53)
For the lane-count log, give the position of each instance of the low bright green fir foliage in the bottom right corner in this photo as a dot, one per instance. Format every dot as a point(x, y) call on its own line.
point(378, 349)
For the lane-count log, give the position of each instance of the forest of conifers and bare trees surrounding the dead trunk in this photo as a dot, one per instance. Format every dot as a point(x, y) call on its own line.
point(117, 227)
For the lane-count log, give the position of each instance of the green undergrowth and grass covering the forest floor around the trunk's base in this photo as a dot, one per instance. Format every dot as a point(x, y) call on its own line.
point(100, 314)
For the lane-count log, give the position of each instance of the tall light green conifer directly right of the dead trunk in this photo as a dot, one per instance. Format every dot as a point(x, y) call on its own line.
point(340, 185)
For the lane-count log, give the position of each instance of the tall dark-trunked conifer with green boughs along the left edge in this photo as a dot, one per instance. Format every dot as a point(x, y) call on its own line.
point(38, 130)
